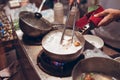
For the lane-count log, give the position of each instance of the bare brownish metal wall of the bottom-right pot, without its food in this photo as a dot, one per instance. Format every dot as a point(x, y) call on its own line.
point(100, 65)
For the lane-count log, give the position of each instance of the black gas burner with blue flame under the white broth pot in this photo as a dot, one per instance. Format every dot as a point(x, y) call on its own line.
point(56, 68)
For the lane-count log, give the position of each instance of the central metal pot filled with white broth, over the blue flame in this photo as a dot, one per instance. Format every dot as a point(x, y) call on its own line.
point(51, 44)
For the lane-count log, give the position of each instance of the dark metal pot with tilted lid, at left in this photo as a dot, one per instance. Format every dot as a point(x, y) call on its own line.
point(33, 26)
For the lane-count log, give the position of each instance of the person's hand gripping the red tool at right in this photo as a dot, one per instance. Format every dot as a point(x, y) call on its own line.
point(109, 16)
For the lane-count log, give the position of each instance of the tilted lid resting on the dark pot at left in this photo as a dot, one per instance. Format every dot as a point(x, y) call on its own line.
point(38, 23)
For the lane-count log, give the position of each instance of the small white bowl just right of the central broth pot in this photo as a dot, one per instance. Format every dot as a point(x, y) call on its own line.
point(94, 40)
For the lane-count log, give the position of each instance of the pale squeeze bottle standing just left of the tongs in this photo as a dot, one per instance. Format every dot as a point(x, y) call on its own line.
point(58, 13)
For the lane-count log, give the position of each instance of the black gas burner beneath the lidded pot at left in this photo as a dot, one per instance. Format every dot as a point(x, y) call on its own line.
point(32, 40)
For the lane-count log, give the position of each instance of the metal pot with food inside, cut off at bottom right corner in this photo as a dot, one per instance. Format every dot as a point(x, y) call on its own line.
point(96, 68)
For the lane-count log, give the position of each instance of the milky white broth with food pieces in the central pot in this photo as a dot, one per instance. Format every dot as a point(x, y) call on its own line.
point(51, 43)
